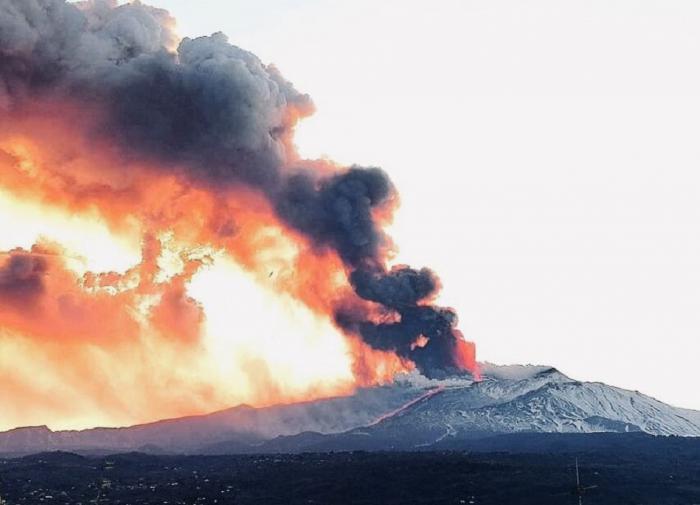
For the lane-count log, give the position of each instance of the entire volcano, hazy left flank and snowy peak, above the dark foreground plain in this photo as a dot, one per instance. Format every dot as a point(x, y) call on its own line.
point(414, 412)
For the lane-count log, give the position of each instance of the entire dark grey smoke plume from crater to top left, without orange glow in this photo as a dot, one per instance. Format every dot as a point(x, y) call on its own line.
point(216, 116)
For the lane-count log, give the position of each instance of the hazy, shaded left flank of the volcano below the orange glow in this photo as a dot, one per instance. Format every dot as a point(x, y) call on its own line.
point(243, 425)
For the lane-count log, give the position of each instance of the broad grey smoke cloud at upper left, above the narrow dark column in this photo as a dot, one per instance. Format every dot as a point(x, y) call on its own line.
point(208, 105)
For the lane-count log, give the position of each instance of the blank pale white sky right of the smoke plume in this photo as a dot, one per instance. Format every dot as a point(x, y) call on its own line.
point(546, 153)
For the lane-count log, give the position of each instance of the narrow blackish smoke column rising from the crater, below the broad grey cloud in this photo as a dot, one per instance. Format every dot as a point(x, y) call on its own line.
point(338, 212)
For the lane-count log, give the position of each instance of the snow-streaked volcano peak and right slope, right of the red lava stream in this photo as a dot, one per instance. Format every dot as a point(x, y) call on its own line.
point(531, 399)
